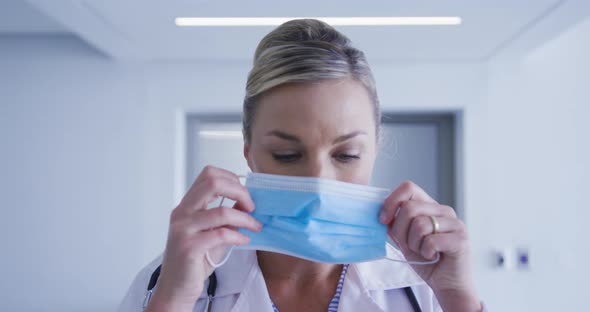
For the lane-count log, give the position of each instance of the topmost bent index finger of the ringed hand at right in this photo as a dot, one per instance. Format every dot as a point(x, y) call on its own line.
point(406, 191)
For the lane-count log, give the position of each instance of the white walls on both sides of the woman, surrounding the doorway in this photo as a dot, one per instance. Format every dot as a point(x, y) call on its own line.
point(88, 163)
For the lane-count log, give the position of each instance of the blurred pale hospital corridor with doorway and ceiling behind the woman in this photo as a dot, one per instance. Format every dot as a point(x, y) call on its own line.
point(108, 110)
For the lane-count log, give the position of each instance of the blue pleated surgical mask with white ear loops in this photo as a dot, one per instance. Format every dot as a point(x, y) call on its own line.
point(317, 219)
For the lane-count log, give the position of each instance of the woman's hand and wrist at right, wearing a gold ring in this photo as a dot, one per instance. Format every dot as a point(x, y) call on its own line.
point(407, 212)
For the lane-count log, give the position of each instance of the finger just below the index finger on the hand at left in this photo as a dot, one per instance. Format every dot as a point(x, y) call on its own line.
point(223, 216)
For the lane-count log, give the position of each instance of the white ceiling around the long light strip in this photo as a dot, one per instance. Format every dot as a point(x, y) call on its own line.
point(145, 30)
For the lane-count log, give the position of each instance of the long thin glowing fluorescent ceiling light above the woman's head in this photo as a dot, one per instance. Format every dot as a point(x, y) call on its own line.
point(335, 21)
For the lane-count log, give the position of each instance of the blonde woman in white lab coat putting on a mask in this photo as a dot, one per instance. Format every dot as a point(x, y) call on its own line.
point(311, 109)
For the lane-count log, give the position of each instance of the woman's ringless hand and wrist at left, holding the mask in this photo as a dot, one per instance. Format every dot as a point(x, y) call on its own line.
point(195, 230)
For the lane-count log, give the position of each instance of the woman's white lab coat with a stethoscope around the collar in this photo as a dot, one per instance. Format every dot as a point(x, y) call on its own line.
point(369, 286)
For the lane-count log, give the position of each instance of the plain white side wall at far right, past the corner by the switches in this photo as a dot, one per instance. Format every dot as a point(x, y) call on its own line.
point(538, 169)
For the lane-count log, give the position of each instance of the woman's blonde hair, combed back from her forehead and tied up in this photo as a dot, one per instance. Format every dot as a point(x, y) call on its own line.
point(304, 50)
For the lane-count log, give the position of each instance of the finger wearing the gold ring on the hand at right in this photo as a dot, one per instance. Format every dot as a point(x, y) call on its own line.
point(422, 226)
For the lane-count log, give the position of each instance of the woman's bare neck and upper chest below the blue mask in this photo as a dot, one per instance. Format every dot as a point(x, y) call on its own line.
point(279, 267)
